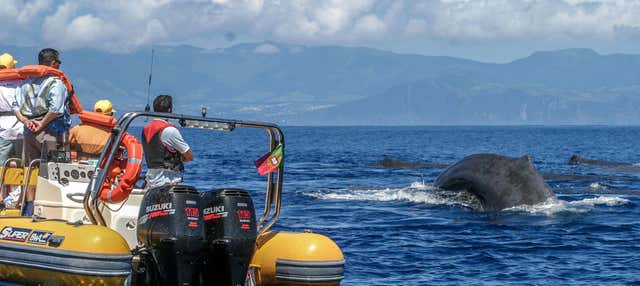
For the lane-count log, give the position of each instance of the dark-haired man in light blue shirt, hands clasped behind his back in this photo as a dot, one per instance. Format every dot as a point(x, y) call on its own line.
point(41, 105)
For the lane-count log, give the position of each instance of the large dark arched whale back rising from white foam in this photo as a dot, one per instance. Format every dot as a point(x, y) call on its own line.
point(499, 182)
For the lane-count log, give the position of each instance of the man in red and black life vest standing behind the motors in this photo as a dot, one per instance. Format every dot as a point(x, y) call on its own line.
point(164, 148)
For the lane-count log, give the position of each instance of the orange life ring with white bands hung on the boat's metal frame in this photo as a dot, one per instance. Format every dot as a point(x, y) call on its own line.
point(125, 172)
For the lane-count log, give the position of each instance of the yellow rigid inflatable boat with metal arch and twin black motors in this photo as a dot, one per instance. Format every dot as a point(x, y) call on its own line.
point(92, 225)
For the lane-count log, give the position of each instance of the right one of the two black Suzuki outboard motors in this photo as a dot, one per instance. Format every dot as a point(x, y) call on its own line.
point(230, 230)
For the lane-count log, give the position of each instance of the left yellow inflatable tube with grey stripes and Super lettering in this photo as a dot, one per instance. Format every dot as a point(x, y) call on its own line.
point(53, 252)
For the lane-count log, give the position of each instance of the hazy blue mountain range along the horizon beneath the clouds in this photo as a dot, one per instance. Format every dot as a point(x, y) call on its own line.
point(293, 84)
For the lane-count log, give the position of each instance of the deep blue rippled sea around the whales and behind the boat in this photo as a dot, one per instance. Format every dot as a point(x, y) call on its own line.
point(396, 228)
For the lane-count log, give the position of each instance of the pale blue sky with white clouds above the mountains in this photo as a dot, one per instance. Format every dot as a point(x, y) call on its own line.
point(483, 30)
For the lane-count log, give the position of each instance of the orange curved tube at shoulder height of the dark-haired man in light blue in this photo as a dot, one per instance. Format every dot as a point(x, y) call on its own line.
point(40, 71)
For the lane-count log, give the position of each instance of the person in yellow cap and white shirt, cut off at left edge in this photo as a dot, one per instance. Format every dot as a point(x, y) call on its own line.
point(10, 128)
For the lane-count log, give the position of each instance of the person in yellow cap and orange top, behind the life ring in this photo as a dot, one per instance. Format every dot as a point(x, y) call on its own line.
point(89, 139)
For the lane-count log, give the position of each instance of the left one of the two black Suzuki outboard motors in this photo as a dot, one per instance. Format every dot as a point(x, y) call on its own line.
point(170, 227)
